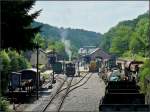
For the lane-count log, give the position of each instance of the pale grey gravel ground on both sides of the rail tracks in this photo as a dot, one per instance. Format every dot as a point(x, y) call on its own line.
point(84, 98)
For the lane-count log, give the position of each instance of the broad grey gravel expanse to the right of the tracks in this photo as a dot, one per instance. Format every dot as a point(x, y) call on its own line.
point(86, 97)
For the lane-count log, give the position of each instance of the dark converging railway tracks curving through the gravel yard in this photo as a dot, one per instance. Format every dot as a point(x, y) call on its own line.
point(66, 91)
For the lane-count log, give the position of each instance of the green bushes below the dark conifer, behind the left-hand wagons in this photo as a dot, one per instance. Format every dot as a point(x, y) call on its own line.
point(11, 61)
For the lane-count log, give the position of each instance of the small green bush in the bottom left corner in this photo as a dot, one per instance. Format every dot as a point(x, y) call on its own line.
point(4, 105)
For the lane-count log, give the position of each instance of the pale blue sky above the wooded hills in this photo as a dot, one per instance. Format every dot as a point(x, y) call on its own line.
point(98, 16)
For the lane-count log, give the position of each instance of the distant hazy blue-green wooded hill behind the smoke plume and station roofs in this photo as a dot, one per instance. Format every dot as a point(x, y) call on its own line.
point(77, 37)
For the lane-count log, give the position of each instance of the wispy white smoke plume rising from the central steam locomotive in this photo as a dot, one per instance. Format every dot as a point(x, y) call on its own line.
point(64, 33)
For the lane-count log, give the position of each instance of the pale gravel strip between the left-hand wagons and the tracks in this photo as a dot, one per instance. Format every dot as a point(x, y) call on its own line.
point(36, 105)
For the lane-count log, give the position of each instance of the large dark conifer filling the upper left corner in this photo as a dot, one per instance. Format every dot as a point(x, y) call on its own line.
point(17, 31)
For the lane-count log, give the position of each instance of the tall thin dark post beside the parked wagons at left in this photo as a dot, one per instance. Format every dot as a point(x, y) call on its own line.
point(37, 75)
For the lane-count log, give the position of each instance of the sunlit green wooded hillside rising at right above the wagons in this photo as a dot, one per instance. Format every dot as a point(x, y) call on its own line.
point(128, 37)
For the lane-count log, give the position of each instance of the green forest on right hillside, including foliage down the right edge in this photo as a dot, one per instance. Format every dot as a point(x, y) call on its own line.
point(131, 40)
